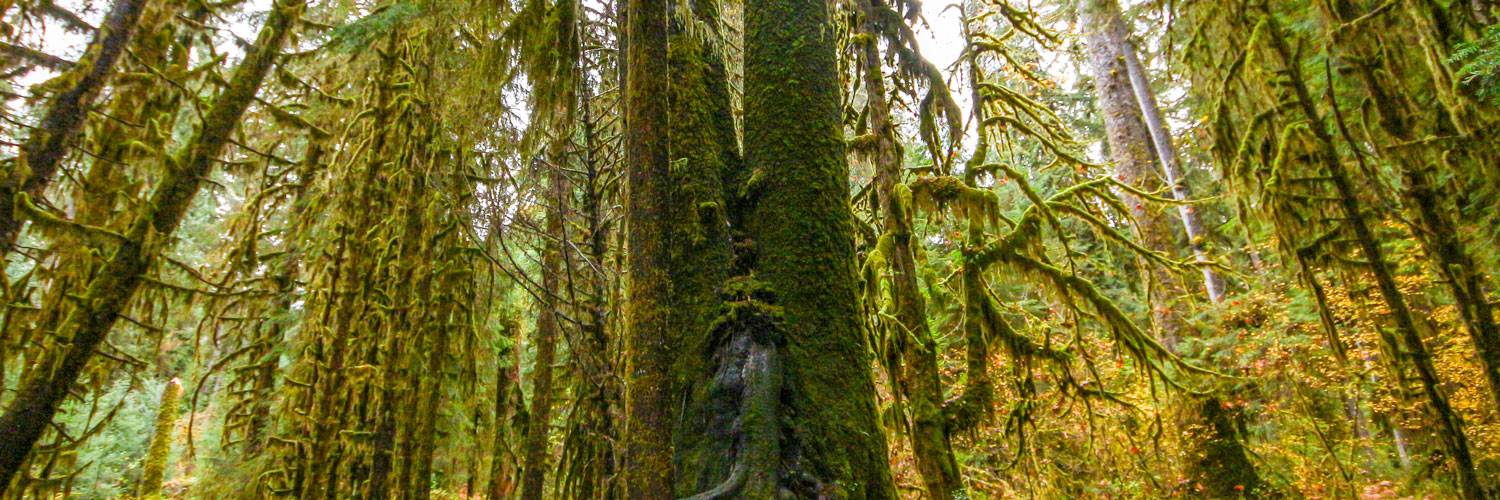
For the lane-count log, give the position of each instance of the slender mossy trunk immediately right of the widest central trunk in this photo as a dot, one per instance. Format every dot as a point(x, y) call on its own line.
point(919, 379)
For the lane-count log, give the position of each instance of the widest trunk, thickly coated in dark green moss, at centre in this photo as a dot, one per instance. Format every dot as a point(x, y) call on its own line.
point(803, 232)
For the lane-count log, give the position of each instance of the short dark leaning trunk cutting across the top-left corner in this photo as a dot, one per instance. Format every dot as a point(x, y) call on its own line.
point(65, 116)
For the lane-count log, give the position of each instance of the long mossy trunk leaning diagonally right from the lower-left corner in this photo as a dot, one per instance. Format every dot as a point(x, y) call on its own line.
point(107, 295)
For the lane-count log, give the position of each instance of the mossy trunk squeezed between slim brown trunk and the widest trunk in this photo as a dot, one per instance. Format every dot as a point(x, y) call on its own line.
point(703, 145)
